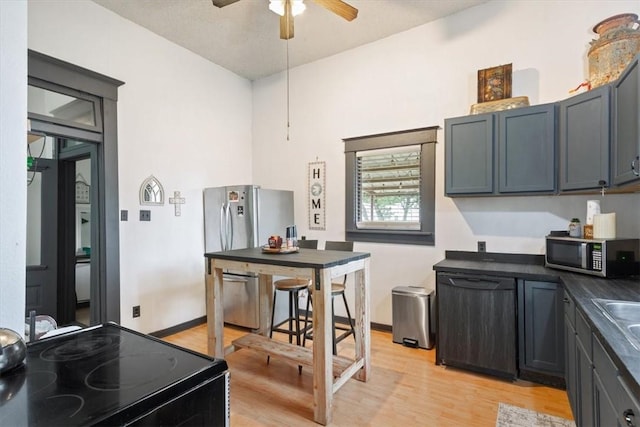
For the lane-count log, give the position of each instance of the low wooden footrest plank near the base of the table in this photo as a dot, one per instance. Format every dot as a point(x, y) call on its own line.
point(289, 352)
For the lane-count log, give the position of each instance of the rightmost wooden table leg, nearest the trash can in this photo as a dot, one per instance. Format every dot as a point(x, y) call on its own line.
point(363, 324)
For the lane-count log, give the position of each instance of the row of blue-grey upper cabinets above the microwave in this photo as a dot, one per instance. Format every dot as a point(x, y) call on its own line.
point(513, 152)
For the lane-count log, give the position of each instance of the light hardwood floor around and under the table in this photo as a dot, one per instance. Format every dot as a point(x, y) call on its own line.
point(406, 389)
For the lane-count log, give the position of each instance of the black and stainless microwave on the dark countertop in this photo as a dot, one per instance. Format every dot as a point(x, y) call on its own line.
point(598, 257)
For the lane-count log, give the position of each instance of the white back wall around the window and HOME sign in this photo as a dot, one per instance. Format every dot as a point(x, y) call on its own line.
point(417, 79)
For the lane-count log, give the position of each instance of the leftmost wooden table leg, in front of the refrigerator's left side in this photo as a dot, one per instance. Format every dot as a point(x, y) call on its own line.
point(214, 311)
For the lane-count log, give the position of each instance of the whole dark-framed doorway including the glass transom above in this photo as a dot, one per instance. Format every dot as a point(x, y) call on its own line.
point(75, 209)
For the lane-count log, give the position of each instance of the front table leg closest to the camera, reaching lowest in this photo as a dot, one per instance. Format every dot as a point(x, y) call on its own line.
point(322, 348)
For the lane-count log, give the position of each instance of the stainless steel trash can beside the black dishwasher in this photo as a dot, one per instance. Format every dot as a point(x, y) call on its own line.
point(412, 316)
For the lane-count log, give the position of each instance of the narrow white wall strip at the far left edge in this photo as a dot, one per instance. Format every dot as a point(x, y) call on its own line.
point(13, 171)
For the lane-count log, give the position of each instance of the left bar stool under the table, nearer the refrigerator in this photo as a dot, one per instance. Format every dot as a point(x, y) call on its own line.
point(292, 286)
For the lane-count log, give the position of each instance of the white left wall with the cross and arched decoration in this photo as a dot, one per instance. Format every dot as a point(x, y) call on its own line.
point(181, 118)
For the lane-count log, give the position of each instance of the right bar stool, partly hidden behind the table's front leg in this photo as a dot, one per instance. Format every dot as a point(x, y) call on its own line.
point(337, 289)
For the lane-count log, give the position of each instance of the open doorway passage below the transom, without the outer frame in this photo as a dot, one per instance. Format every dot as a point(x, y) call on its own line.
point(61, 263)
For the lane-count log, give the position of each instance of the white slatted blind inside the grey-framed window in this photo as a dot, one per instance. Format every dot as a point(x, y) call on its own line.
point(388, 188)
